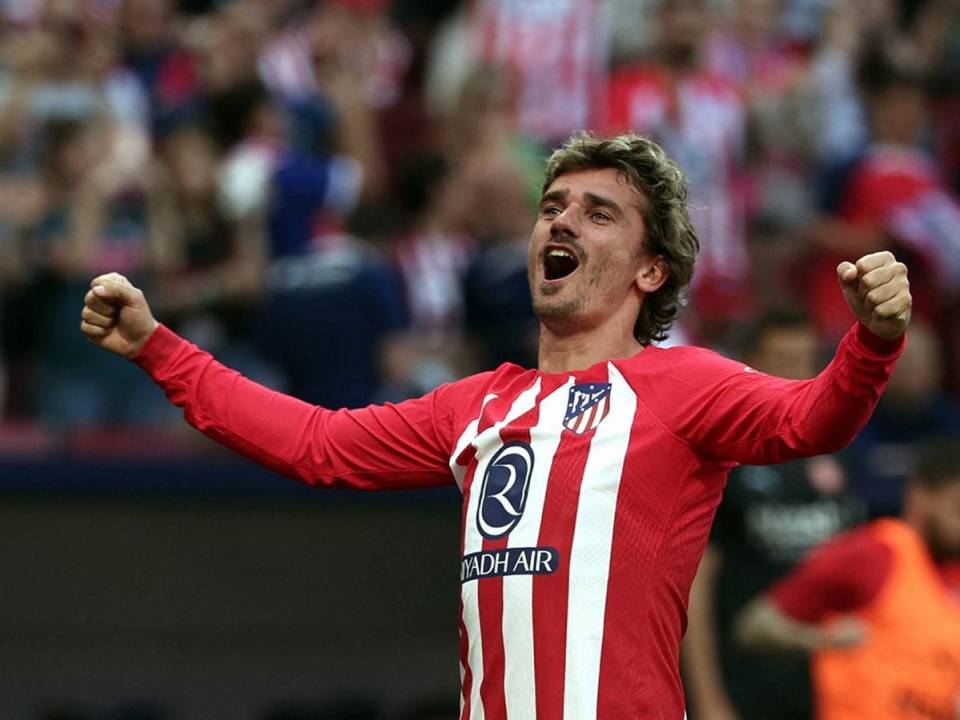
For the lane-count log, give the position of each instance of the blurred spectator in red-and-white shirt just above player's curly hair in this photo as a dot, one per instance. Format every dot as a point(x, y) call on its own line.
point(700, 118)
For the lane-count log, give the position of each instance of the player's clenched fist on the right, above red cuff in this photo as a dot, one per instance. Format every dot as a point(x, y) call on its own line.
point(878, 293)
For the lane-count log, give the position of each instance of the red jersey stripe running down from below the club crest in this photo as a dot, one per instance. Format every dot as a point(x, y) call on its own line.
point(550, 591)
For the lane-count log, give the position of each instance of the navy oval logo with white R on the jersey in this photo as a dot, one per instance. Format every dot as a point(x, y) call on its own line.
point(503, 493)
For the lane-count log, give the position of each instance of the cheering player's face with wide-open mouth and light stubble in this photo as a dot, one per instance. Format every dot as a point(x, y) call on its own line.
point(586, 251)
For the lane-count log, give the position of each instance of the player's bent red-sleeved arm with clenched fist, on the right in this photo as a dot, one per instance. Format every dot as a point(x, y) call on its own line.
point(733, 414)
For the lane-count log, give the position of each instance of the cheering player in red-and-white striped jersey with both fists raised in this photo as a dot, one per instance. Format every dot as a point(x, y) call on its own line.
point(589, 484)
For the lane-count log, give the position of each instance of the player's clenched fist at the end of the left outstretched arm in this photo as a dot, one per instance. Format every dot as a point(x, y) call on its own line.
point(116, 316)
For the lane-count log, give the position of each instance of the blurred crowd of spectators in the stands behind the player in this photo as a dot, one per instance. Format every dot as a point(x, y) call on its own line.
point(334, 196)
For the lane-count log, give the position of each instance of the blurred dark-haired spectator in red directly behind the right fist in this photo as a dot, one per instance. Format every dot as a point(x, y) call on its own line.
point(891, 197)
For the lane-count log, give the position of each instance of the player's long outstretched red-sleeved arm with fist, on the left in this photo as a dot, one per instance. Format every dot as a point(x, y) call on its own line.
point(391, 446)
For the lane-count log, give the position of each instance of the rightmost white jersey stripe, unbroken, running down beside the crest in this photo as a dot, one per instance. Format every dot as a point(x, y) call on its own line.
point(590, 553)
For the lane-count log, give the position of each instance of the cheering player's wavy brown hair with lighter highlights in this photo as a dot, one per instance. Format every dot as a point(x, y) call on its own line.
point(669, 232)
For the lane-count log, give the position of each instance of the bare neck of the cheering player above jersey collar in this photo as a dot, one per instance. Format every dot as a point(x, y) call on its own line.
point(568, 352)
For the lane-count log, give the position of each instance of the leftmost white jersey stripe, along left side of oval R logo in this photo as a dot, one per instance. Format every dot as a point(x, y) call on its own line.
point(473, 542)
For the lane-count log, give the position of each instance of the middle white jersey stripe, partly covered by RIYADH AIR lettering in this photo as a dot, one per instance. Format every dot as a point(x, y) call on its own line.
point(519, 682)
